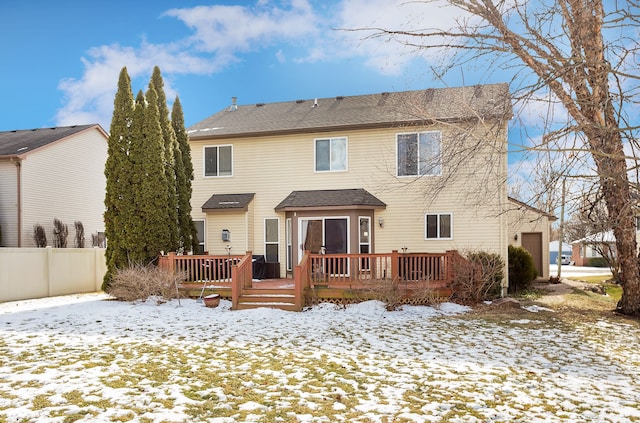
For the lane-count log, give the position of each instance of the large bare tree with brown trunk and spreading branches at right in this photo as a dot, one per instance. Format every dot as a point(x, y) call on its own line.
point(576, 54)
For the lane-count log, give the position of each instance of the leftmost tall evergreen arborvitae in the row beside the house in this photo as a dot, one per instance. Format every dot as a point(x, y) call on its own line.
point(118, 196)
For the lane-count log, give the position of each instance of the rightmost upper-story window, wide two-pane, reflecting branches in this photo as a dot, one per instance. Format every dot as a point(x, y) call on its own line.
point(419, 153)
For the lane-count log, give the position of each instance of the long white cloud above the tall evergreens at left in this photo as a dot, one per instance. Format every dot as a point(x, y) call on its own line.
point(220, 34)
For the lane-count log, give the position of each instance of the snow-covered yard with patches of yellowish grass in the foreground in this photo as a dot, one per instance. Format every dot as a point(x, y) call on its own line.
point(82, 358)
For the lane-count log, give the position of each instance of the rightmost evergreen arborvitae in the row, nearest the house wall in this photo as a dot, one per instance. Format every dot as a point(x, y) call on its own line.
point(184, 175)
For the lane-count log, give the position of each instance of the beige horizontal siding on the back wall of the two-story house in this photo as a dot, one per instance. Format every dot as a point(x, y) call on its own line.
point(273, 166)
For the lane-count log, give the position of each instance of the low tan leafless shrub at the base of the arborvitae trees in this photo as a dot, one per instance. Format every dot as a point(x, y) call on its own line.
point(139, 283)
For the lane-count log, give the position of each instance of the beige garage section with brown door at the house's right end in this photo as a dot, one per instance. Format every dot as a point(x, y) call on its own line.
point(530, 228)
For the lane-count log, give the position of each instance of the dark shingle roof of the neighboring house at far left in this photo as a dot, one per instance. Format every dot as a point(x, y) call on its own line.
point(20, 142)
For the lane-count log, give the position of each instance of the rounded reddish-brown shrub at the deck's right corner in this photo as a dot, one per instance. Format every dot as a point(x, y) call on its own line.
point(478, 278)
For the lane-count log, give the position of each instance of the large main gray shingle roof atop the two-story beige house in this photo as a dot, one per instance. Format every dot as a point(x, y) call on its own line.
point(364, 111)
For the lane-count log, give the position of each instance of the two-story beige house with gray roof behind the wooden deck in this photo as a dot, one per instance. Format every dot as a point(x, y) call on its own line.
point(414, 171)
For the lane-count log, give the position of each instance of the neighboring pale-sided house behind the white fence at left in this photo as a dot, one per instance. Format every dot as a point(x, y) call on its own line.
point(51, 173)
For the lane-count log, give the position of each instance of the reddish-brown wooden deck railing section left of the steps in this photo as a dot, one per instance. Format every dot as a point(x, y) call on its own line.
point(201, 268)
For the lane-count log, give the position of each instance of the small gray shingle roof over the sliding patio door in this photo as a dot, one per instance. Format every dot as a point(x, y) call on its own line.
point(330, 198)
